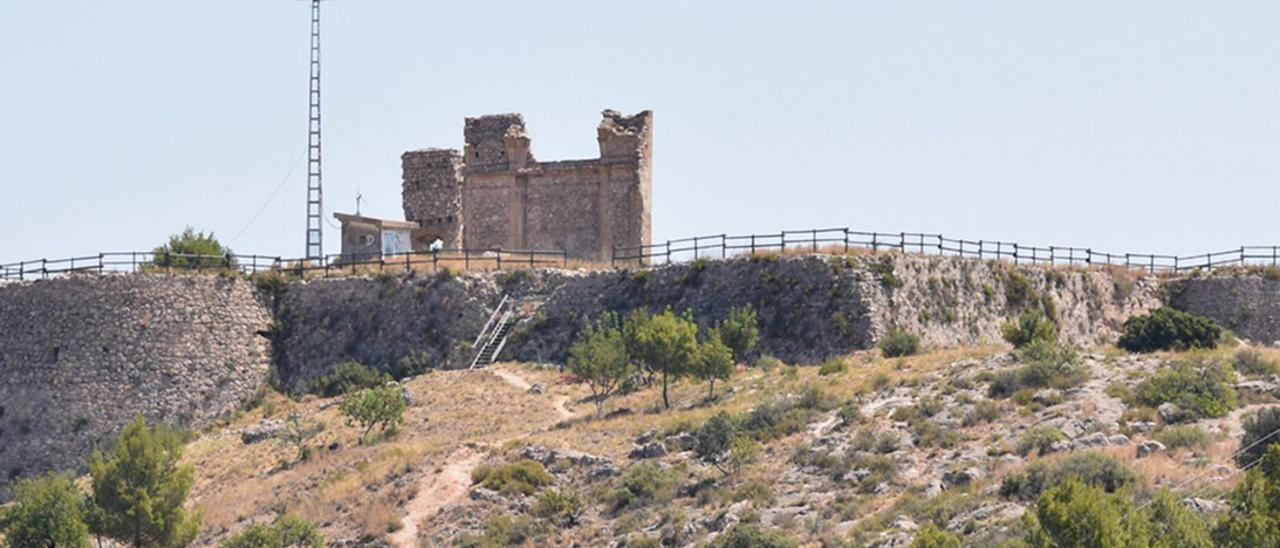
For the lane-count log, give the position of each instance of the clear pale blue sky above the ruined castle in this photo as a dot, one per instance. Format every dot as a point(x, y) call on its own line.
point(1137, 126)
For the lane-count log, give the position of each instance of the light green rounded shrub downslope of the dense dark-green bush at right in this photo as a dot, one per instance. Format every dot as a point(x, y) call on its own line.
point(1200, 386)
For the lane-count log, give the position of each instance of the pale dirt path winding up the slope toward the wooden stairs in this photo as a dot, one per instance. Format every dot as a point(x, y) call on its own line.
point(442, 487)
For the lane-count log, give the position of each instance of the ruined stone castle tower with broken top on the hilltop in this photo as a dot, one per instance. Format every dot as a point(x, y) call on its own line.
point(495, 194)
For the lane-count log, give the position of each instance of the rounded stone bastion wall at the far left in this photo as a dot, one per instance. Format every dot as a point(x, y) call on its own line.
point(81, 357)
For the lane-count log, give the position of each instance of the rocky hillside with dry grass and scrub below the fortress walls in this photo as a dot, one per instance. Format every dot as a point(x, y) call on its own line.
point(862, 451)
